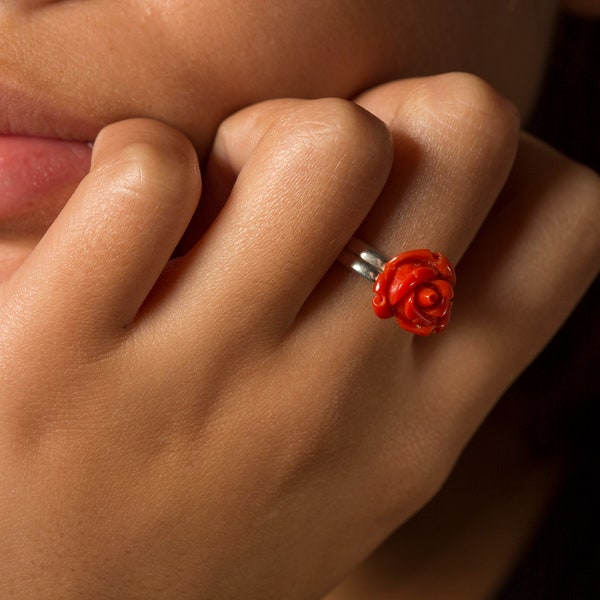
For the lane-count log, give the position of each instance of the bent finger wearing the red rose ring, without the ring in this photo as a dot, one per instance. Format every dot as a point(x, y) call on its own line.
point(454, 144)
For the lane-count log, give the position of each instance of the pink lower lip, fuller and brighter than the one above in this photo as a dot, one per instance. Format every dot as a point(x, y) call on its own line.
point(36, 172)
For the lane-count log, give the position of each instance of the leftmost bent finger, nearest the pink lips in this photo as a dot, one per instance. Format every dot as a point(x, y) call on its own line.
point(96, 264)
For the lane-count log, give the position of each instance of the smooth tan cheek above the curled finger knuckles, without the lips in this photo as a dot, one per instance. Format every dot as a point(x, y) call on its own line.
point(193, 62)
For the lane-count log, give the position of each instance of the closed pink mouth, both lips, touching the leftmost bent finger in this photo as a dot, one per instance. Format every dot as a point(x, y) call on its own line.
point(45, 152)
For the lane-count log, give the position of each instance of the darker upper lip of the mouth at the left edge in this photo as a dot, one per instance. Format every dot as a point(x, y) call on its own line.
point(26, 112)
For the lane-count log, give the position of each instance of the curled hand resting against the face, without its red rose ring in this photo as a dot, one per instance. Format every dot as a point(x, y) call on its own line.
point(236, 423)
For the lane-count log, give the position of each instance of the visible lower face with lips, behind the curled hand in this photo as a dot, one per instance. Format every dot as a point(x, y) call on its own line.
point(69, 67)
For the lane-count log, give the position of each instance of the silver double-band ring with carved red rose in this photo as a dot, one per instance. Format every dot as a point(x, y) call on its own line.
point(416, 287)
